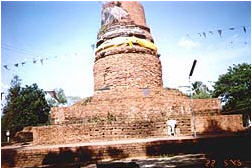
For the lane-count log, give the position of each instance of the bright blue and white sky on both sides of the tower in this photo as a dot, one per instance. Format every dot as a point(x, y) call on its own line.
point(63, 33)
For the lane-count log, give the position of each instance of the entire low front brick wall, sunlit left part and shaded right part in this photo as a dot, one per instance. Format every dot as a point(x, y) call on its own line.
point(74, 156)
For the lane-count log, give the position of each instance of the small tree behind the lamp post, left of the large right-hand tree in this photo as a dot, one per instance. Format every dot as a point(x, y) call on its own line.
point(200, 90)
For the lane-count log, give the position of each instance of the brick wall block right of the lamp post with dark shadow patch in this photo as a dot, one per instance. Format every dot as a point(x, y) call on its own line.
point(219, 123)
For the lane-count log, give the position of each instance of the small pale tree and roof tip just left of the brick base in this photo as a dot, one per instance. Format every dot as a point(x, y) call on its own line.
point(58, 99)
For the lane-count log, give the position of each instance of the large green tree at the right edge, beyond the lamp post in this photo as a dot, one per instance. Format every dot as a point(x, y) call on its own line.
point(234, 89)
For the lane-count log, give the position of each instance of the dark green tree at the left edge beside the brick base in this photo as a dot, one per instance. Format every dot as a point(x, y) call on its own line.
point(25, 106)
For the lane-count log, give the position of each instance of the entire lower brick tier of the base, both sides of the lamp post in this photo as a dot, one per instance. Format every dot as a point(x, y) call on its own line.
point(141, 128)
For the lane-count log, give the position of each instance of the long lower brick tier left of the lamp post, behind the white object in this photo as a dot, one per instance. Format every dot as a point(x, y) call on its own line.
point(102, 131)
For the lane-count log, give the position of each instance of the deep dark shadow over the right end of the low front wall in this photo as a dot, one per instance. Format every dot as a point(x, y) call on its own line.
point(225, 151)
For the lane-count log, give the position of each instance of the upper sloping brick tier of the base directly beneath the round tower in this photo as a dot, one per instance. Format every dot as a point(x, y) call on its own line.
point(128, 104)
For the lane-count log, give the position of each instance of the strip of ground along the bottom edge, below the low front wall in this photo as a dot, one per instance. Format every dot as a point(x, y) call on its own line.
point(181, 161)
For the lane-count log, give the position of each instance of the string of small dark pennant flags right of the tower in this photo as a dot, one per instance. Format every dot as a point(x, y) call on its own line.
point(220, 31)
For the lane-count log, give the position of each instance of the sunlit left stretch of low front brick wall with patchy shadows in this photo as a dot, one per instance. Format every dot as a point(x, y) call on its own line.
point(65, 156)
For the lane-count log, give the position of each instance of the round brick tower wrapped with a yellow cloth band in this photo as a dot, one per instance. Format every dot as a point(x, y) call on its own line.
point(126, 56)
